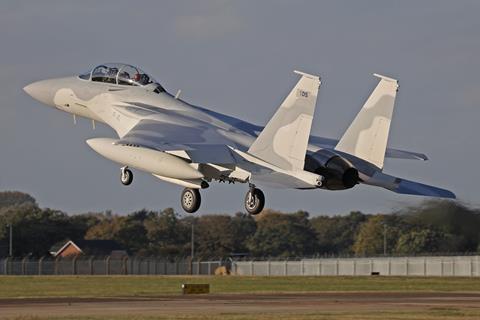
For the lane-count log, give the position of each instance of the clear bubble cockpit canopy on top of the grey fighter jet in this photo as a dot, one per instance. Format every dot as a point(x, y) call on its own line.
point(121, 74)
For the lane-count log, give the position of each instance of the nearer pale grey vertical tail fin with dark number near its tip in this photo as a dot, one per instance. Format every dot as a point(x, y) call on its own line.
point(284, 140)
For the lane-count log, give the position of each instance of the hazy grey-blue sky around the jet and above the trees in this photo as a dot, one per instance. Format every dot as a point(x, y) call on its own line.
point(237, 58)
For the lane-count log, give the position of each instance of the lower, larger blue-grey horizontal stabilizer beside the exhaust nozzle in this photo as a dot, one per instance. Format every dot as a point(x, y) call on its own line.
point(403, 186)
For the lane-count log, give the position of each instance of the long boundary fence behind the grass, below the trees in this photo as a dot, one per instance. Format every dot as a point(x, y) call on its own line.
point(445, 266)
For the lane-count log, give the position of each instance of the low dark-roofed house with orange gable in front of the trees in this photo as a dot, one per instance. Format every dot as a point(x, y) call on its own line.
point(69, 248)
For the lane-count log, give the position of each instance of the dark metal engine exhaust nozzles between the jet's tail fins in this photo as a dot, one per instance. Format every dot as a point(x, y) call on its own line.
point(338, 172)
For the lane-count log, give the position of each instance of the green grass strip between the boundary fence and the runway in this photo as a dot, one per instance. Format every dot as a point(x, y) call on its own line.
point(137, 286)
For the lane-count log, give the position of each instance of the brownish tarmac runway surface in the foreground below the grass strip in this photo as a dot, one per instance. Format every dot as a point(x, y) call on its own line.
point(237, 303)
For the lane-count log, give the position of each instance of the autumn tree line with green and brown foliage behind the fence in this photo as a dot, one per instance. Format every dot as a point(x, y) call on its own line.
point(433, 227)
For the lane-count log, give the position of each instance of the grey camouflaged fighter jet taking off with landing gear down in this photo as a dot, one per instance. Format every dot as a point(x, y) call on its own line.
point(192, 146)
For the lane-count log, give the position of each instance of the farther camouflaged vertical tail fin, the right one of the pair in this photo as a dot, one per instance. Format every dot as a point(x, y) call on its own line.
point(367, 136)
